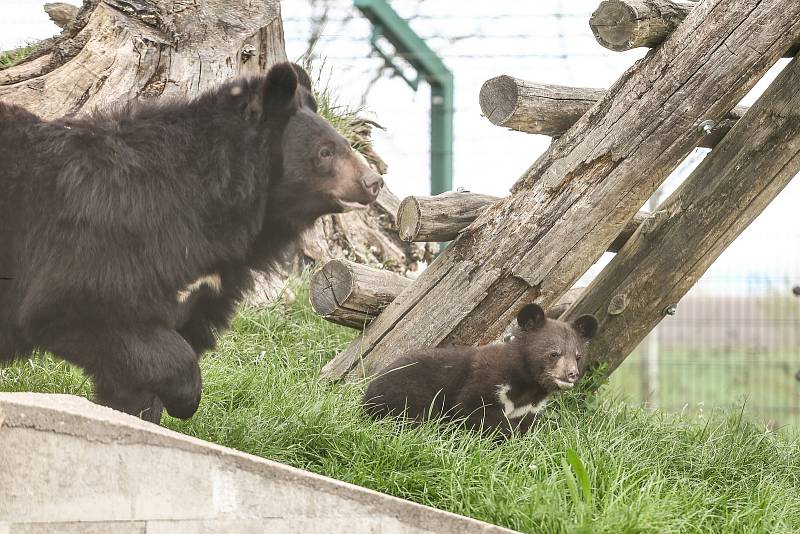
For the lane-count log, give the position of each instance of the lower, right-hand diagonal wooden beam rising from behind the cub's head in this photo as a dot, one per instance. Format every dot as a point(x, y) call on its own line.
point(726, 192)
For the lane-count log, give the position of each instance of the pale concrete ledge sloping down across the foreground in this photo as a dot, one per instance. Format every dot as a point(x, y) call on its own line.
point(67, 465)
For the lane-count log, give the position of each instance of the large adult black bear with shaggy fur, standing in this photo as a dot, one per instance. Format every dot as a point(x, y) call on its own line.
point(128, 236)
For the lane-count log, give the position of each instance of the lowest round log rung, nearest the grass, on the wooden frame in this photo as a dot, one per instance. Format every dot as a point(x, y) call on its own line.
point(352, 294)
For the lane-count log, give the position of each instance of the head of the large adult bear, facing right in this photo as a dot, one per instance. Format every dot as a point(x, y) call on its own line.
point(320, 172)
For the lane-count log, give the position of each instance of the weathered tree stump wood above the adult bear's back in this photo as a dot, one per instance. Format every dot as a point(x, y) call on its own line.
point(123, 51)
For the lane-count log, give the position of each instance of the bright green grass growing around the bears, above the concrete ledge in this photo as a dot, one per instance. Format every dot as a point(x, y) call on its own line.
point(589, 467)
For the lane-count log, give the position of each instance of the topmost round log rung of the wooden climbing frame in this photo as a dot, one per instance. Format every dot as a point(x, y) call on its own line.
point(621, 25)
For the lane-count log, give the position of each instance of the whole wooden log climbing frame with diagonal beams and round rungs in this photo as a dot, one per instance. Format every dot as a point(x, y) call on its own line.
point(611, 150)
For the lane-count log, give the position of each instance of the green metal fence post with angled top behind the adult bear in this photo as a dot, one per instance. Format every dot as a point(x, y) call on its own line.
point(408, 45)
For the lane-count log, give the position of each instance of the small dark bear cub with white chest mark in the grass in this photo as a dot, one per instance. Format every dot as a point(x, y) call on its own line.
point(498, 387)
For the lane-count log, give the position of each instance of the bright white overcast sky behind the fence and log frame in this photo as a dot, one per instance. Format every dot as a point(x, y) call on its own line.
point(544, 41)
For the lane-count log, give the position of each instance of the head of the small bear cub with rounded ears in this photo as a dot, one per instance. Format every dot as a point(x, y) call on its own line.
point(553, 349)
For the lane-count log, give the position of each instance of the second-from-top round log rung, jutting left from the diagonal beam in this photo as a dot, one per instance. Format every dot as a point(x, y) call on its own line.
point(548, 109)
